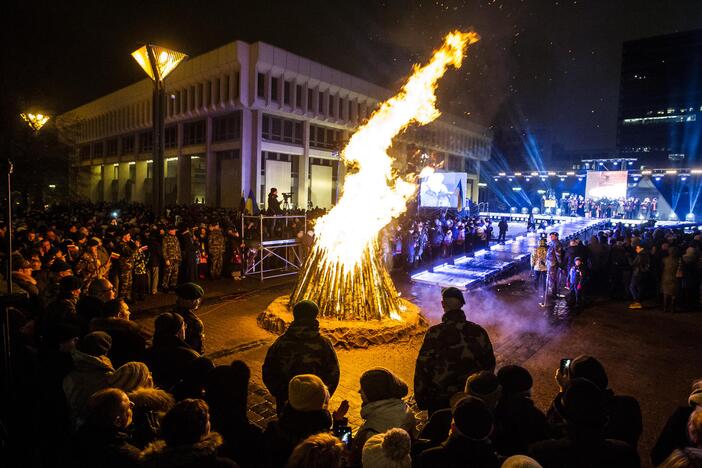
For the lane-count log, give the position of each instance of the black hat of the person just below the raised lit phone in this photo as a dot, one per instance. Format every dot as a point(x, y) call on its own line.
point(582, 403)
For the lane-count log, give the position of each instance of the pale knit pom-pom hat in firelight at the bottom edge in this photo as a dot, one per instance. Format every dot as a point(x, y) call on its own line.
point(388, 450)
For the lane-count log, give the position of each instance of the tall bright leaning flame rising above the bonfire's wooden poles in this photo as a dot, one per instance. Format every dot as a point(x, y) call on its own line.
point(371, 196)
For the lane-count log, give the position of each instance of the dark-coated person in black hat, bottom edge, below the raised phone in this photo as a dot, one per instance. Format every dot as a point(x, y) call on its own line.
point(584, 443)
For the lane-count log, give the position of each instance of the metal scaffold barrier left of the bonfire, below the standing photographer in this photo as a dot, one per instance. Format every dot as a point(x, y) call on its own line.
point(269, 257)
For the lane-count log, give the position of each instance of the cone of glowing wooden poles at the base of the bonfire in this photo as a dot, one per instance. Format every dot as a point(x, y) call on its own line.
point(365, 293)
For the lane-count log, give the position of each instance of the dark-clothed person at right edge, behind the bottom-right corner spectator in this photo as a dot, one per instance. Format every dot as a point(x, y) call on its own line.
point(674, 434)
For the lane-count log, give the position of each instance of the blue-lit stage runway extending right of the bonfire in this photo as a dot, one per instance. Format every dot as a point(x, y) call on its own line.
point(501, 260)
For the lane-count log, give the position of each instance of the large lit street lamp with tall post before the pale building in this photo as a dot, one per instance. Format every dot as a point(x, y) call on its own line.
point(158, 62)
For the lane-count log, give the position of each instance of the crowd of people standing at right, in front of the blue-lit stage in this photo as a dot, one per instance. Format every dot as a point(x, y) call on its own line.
point(652, 264)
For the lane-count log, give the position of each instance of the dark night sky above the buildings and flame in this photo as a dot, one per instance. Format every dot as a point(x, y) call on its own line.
point(550, 65)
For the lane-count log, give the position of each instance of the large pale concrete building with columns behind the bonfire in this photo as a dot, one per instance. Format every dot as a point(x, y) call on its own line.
point(246, 117)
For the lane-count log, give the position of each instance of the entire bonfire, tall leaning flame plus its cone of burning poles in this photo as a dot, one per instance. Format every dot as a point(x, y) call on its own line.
point(342, 272)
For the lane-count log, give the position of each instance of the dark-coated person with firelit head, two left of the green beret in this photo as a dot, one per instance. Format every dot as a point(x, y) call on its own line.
point(128, 337)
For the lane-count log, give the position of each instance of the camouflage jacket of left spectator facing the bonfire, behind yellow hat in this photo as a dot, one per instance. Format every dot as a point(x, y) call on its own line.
point(300, 350)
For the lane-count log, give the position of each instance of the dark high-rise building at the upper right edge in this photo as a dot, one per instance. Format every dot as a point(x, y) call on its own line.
point(660, 100)
